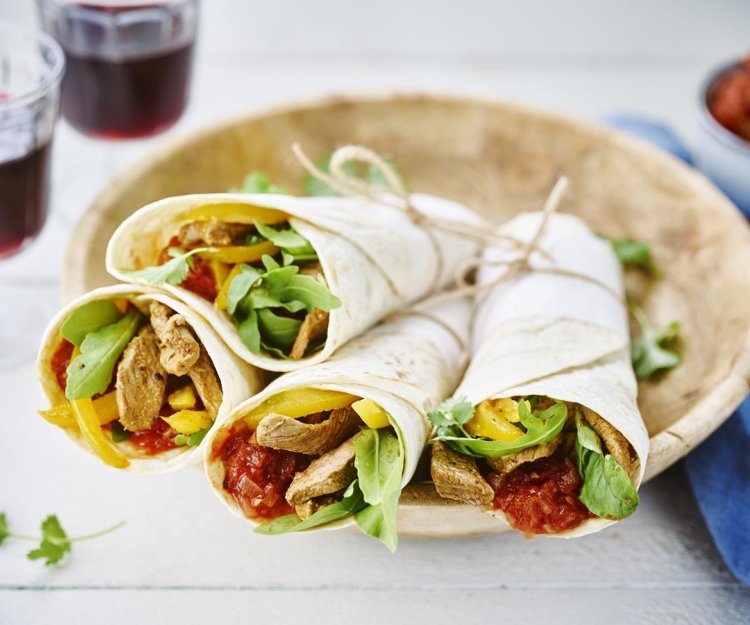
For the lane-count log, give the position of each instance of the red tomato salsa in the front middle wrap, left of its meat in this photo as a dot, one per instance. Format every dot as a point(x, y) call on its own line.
point(256, 476)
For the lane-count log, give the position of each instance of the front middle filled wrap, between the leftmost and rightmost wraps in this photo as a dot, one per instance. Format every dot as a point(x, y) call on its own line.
point(335, 443)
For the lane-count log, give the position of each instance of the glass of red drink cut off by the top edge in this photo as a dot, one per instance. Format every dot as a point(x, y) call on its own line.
point(128, 63)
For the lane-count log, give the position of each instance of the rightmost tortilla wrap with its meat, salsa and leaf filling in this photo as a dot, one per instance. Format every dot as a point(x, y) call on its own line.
point(544, 430)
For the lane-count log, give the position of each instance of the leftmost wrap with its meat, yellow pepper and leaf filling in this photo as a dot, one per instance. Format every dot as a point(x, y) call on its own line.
point(137, 378)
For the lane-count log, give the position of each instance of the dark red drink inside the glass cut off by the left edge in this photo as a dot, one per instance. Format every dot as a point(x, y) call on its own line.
point(24, 190)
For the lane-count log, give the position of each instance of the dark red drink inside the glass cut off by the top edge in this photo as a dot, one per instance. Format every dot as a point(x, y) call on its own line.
point(134, 98)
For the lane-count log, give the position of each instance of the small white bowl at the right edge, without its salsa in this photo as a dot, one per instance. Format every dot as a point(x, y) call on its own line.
point(722, 155)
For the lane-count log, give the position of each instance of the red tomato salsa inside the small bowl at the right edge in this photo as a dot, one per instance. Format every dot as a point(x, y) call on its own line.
point(729, 100)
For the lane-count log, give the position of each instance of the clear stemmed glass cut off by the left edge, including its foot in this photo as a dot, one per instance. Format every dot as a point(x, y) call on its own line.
point(31, 66)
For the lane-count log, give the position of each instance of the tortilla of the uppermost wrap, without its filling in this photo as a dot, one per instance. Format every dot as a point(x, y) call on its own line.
point(374, 259)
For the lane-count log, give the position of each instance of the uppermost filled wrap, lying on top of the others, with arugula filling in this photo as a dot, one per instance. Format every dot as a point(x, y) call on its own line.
point(285, 280)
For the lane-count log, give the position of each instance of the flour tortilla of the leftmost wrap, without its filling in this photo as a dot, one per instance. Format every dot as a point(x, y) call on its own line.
point(239, 380)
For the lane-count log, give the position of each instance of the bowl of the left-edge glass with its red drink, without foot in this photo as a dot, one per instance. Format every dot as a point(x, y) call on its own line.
point(31, 66)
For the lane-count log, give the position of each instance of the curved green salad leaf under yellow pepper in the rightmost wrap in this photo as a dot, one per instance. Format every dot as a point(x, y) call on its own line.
point(541, 427)
